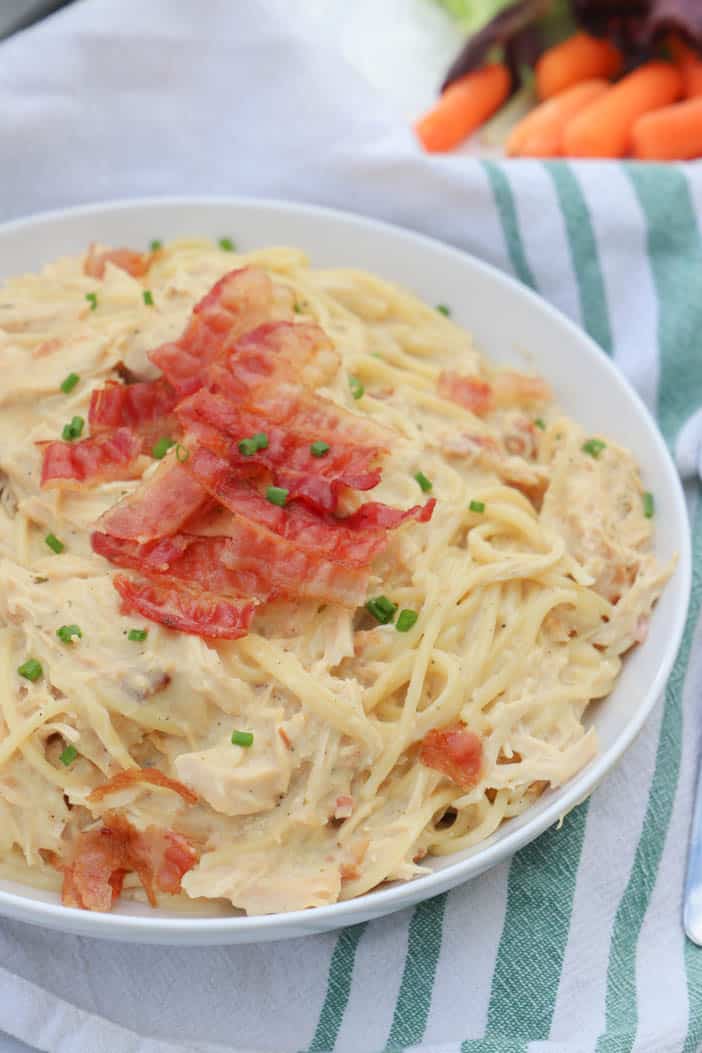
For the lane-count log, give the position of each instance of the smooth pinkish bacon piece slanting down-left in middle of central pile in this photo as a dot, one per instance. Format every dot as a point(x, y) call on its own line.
point(162, 506)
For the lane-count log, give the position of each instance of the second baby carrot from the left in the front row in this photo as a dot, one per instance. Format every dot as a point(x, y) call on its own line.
point(540, 134)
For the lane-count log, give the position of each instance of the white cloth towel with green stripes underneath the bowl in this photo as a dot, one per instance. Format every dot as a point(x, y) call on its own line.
point(576, 945)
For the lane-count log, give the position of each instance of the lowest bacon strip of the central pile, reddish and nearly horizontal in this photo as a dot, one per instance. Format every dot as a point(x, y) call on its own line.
point(187, 610)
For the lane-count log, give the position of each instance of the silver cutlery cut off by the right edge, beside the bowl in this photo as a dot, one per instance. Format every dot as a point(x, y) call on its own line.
point(689, 458)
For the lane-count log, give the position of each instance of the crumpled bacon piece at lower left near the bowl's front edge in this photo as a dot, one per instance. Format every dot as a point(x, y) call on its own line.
point(103, 858)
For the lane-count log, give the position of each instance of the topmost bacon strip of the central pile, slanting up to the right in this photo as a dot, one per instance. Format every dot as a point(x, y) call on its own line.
point(239, 302)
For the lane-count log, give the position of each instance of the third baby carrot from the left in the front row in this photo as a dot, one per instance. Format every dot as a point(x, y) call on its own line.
point(605, 129)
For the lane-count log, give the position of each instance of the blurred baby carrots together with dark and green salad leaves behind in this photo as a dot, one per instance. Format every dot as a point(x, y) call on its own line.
point(598, 67)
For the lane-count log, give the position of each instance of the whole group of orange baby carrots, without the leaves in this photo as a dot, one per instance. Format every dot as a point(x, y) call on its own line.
point(587, 107)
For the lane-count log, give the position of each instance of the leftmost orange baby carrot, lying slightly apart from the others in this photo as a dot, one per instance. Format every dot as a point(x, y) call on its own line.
point(465, 107)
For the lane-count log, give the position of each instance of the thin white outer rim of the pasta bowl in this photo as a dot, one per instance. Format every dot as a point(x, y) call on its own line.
point(224, 929)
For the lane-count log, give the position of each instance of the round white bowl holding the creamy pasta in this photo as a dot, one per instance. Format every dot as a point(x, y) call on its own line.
point(508, 322)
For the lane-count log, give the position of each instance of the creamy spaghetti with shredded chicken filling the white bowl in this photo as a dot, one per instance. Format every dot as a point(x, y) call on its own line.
point(402, 709)
